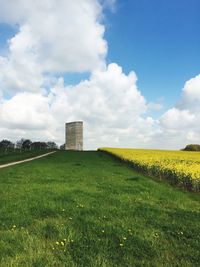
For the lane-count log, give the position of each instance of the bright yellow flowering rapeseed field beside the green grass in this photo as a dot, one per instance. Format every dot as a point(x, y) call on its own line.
point(180, 167)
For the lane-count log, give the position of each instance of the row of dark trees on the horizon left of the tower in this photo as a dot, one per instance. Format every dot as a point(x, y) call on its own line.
point(26, 144)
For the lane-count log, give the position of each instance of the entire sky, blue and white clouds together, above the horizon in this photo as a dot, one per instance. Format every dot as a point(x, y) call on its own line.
point(130, 69)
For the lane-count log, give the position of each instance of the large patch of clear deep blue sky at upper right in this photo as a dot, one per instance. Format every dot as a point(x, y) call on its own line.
point(160, 41)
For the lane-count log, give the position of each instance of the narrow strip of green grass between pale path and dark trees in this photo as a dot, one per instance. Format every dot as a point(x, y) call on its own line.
point(17, 155)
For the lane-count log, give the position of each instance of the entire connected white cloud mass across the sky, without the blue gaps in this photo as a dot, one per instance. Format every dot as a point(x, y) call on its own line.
point(68, 36)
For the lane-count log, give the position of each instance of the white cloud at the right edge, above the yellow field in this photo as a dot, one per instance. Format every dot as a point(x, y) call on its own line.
point(180, 125)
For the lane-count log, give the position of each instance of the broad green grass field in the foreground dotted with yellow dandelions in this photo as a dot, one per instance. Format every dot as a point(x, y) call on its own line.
point(87, 209)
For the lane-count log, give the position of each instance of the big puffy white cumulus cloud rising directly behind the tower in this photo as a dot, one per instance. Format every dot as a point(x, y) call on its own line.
point(110, 105)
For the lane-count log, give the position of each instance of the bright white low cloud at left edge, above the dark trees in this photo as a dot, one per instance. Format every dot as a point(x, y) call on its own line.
point(26, 111)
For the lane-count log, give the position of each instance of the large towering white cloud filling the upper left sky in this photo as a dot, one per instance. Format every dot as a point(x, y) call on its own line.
point(53, 37)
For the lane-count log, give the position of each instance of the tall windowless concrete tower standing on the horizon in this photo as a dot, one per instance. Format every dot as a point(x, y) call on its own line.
point(74, 135)
